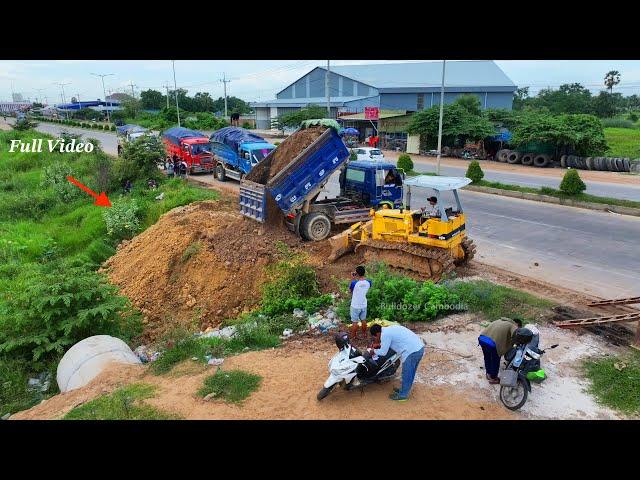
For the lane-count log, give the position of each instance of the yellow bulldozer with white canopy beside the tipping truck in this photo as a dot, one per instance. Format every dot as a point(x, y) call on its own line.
point(427, 245)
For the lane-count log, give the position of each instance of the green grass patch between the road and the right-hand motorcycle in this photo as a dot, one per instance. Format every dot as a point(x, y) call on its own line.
point(495, 301)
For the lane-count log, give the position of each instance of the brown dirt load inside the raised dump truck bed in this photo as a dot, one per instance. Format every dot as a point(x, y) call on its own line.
point(284, 154)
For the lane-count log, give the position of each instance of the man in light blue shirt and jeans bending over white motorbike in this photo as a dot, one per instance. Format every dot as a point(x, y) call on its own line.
point(411, 349)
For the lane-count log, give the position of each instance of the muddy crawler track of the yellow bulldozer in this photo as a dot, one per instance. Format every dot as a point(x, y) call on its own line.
point(429, 263)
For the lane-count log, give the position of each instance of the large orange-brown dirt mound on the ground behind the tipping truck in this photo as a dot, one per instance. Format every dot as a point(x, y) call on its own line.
point(197, 266)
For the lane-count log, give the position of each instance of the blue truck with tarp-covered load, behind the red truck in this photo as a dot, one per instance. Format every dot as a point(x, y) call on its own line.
point(236, 151)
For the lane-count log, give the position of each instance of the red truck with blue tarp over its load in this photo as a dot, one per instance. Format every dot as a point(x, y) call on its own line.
point(189, 146)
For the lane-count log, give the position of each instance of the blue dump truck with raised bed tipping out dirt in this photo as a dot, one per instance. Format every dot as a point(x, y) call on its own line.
point(295, 189)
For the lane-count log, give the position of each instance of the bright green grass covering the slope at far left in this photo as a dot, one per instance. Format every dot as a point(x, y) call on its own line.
point(41, 231)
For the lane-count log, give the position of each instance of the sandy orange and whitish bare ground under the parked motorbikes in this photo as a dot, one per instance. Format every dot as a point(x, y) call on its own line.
point(450, 383)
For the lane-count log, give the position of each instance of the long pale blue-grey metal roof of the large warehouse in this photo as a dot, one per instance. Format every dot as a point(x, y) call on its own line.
point(483, 73)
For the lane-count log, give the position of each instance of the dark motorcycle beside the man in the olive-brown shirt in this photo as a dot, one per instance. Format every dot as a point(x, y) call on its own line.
point(522, 366)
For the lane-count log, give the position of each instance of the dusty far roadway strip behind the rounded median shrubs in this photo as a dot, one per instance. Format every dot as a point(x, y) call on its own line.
point(488, 165)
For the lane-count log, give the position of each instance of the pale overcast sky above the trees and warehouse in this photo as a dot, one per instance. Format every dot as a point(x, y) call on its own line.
point(259, 79)
